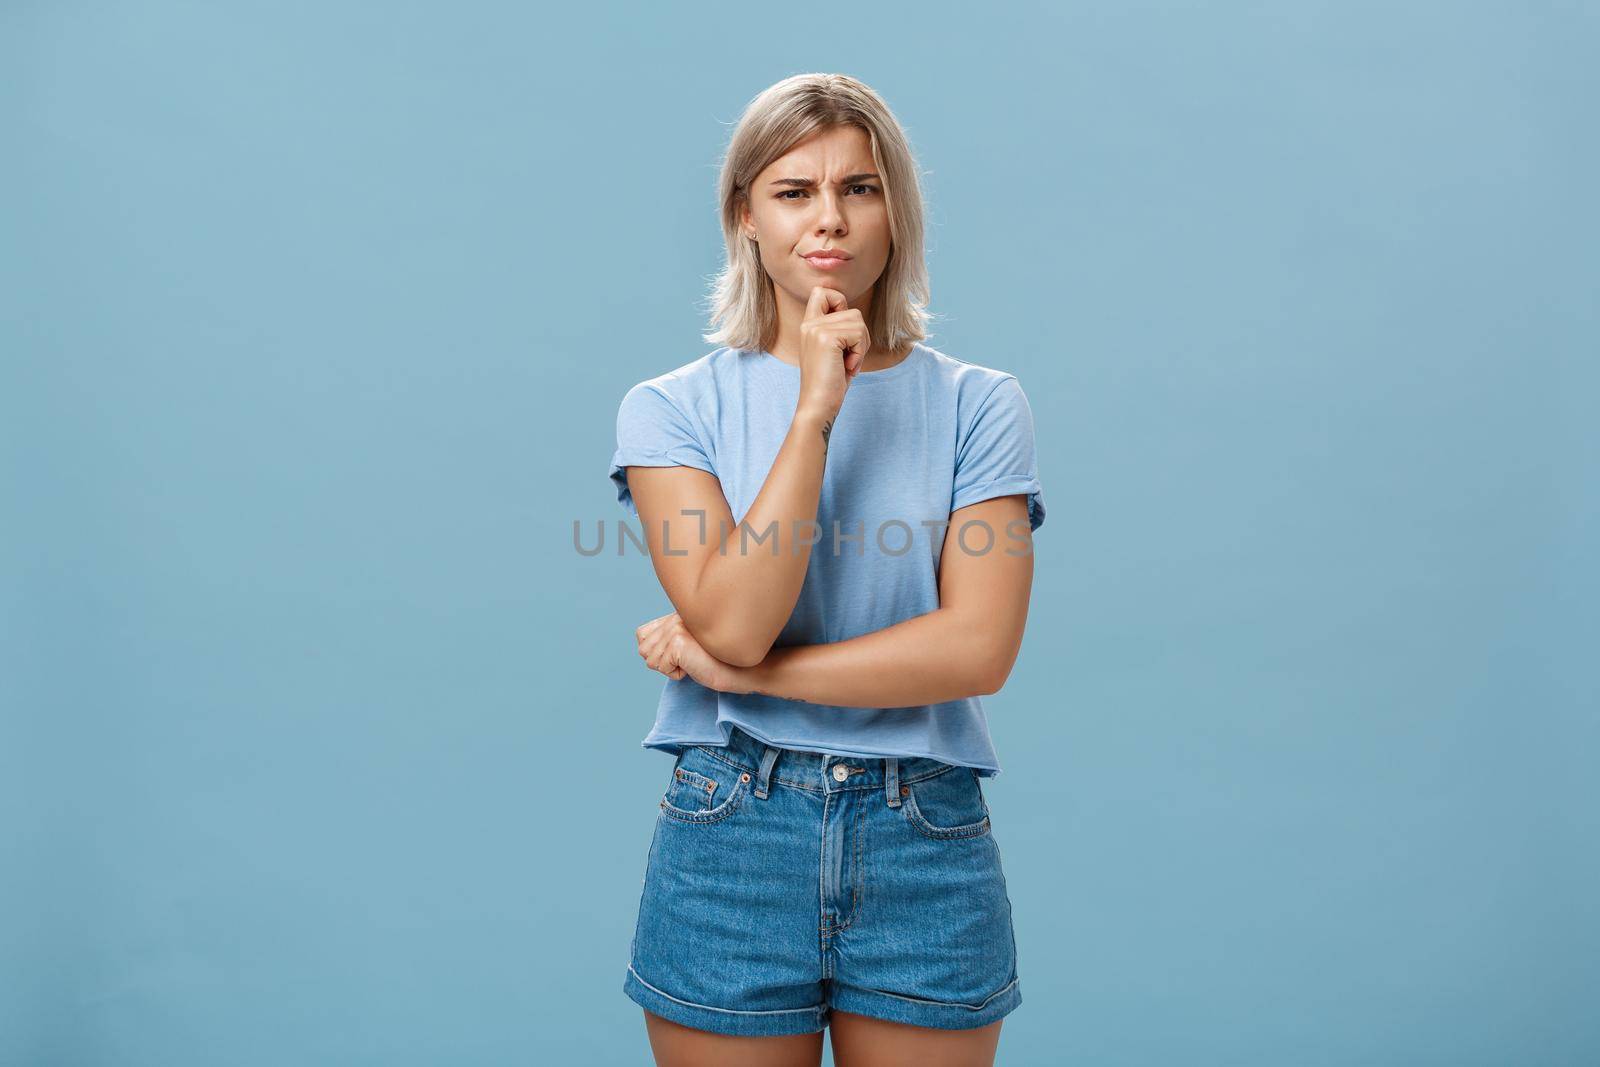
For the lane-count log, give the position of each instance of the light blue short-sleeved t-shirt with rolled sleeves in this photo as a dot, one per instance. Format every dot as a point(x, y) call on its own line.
point(911, 446)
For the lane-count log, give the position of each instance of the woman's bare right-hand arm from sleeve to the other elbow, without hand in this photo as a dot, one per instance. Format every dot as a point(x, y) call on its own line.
point(962, 649)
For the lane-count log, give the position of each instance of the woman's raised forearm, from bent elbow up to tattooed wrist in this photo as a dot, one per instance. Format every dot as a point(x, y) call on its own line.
point(753, 580)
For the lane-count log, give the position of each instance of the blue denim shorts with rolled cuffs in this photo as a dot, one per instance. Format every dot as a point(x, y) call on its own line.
point(785, 884)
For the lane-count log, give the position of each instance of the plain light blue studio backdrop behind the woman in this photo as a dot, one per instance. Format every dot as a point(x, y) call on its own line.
point(321, 740)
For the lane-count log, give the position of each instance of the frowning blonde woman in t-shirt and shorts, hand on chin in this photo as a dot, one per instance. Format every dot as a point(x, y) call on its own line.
point(823, 853)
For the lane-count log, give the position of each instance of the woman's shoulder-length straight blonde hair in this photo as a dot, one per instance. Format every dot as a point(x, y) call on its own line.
point(743, 306)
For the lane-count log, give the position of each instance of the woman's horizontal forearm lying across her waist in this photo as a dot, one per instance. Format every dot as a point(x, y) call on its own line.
point(932, 658)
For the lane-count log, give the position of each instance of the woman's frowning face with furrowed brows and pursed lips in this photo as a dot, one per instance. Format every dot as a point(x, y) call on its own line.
point(822, 194)
